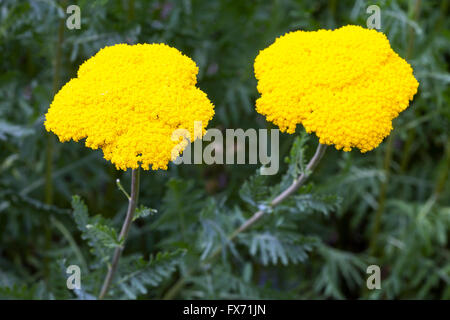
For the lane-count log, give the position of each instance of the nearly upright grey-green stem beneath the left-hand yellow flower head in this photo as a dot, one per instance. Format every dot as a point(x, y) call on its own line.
point(132, 204)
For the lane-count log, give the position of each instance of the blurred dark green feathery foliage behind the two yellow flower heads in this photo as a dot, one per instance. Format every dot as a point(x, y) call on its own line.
point(388, 207)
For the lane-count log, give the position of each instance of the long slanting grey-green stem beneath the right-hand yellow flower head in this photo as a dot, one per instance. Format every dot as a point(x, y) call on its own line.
point(320, 151)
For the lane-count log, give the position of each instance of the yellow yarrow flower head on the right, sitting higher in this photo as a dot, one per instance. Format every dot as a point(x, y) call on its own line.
point(345, 85)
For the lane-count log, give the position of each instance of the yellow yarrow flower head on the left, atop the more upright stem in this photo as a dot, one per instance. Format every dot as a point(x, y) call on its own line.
point(128, 100)
